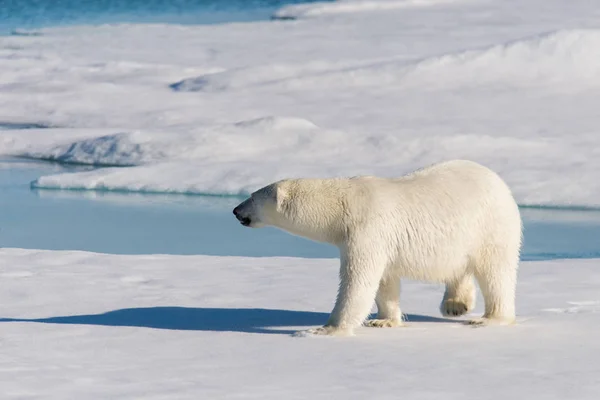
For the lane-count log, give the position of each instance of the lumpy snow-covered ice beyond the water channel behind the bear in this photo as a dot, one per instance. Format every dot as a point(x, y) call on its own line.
point(364, 87)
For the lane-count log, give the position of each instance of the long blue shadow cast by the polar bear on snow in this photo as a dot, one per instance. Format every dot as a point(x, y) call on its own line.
point(248, 320)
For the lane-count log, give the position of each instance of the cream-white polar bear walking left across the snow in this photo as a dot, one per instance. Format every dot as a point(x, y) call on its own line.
point(451, 223)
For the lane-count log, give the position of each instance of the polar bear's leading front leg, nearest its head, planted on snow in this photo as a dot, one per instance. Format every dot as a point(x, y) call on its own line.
point(360, 274)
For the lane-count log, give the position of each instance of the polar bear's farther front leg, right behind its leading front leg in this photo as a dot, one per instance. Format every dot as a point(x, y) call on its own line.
point(388, 304)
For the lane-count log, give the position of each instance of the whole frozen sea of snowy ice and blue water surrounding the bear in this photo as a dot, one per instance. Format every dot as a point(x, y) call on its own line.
point(129, 130)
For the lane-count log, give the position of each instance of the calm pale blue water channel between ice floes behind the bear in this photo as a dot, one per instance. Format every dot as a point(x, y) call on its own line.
point(172, 224)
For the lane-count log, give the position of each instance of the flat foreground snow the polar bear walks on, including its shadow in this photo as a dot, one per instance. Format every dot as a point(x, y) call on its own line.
point(96, 326)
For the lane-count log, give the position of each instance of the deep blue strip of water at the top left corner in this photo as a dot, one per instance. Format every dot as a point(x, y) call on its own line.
point(28, 14)
